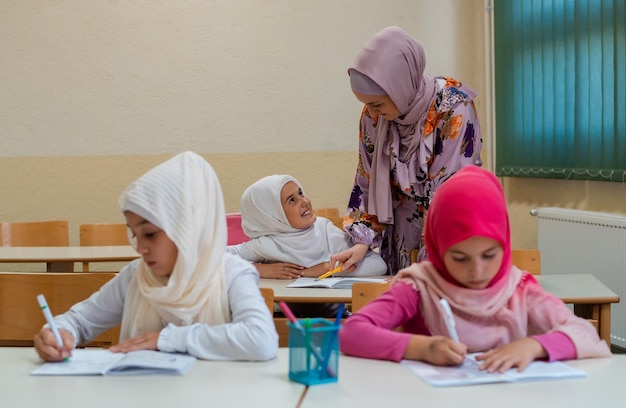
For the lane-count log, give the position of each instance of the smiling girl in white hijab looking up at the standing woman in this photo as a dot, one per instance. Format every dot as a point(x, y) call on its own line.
point(287, 239)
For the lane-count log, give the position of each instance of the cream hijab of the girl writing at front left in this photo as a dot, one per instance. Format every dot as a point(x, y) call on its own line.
point(183, 197)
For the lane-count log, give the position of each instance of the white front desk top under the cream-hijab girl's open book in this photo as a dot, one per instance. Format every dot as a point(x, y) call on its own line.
point(208, 383)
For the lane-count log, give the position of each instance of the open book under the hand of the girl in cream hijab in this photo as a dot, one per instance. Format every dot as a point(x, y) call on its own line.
point(104, 362)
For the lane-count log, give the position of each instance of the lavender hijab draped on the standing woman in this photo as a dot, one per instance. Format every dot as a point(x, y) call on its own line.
point(395, 62)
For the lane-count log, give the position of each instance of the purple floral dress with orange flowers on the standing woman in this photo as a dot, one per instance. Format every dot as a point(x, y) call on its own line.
point(451, 140)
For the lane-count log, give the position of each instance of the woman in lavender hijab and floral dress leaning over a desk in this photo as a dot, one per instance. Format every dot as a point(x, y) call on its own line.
point(416, 130)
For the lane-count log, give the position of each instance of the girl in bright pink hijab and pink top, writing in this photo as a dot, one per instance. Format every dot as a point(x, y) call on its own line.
point(498, 309)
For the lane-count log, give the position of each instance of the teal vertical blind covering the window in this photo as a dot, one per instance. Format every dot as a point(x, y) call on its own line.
point(560, 86)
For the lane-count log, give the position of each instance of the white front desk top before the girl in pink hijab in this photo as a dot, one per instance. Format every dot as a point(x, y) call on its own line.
point(369, 383)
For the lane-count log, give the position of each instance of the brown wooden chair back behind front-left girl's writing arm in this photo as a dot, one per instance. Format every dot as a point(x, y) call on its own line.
point(20, 315)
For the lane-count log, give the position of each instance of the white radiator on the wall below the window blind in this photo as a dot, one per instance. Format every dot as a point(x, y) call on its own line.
point(577, 241)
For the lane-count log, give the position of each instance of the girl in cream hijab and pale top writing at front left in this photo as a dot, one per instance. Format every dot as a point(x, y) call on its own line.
point(185, 294)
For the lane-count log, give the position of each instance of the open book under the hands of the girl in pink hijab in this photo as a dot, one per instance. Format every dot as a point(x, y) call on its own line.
point(468, 373)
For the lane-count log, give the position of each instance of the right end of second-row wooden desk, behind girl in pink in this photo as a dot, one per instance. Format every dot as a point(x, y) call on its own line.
point(591, 299)
